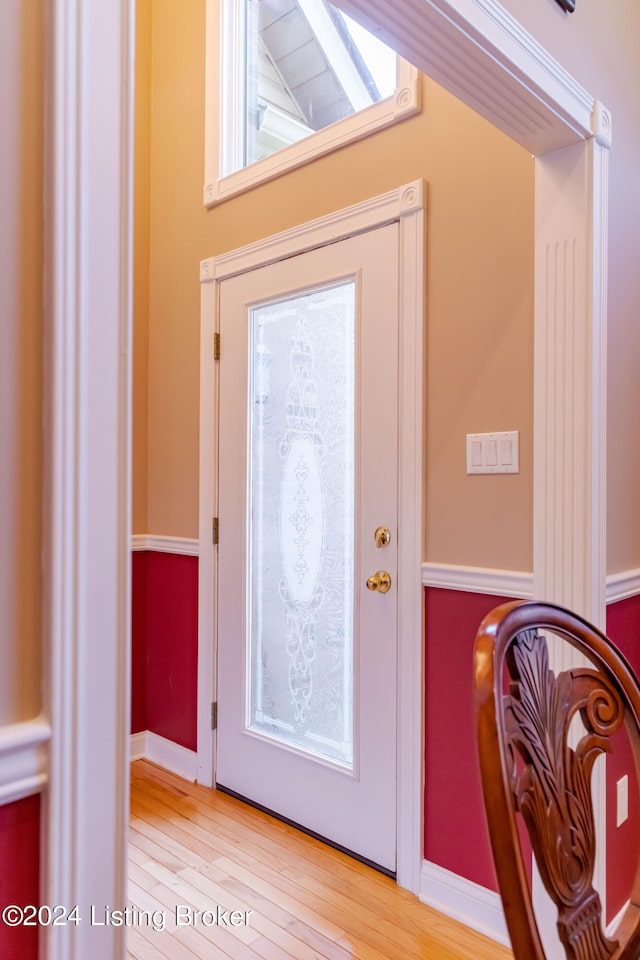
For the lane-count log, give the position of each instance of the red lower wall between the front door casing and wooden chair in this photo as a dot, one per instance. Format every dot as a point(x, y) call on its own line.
point(455, 835)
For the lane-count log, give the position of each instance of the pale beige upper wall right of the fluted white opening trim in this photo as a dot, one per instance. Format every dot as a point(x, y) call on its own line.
point(598, 44)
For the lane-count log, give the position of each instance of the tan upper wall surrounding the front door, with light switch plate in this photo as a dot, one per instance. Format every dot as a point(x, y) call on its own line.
point(479, 290)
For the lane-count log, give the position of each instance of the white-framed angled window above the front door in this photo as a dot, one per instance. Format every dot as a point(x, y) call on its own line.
point(289, 80)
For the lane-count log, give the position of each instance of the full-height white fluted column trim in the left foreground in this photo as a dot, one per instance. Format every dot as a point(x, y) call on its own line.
point(86, 509)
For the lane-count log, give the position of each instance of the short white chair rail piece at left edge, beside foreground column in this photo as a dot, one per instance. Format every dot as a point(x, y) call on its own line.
point(23, 759)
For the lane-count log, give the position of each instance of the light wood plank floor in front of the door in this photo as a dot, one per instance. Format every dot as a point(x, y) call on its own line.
point(286, 896)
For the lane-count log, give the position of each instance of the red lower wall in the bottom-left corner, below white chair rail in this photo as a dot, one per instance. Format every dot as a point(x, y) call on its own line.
point(20, 873)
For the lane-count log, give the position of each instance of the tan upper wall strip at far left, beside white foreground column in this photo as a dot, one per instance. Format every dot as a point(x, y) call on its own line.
point(21, 257)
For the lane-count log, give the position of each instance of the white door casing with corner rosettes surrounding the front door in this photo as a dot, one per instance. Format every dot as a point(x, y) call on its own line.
point(405, 205)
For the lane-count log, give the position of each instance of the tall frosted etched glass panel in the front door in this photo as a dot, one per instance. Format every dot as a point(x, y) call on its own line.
point(301, 530)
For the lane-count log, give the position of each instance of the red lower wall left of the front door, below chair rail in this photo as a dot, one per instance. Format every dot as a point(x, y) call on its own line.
point(165, 646)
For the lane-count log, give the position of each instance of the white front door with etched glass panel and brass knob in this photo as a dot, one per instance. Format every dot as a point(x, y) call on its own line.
point(307, 651)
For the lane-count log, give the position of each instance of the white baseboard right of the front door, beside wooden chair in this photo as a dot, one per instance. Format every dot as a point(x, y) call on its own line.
point(463, 900)
